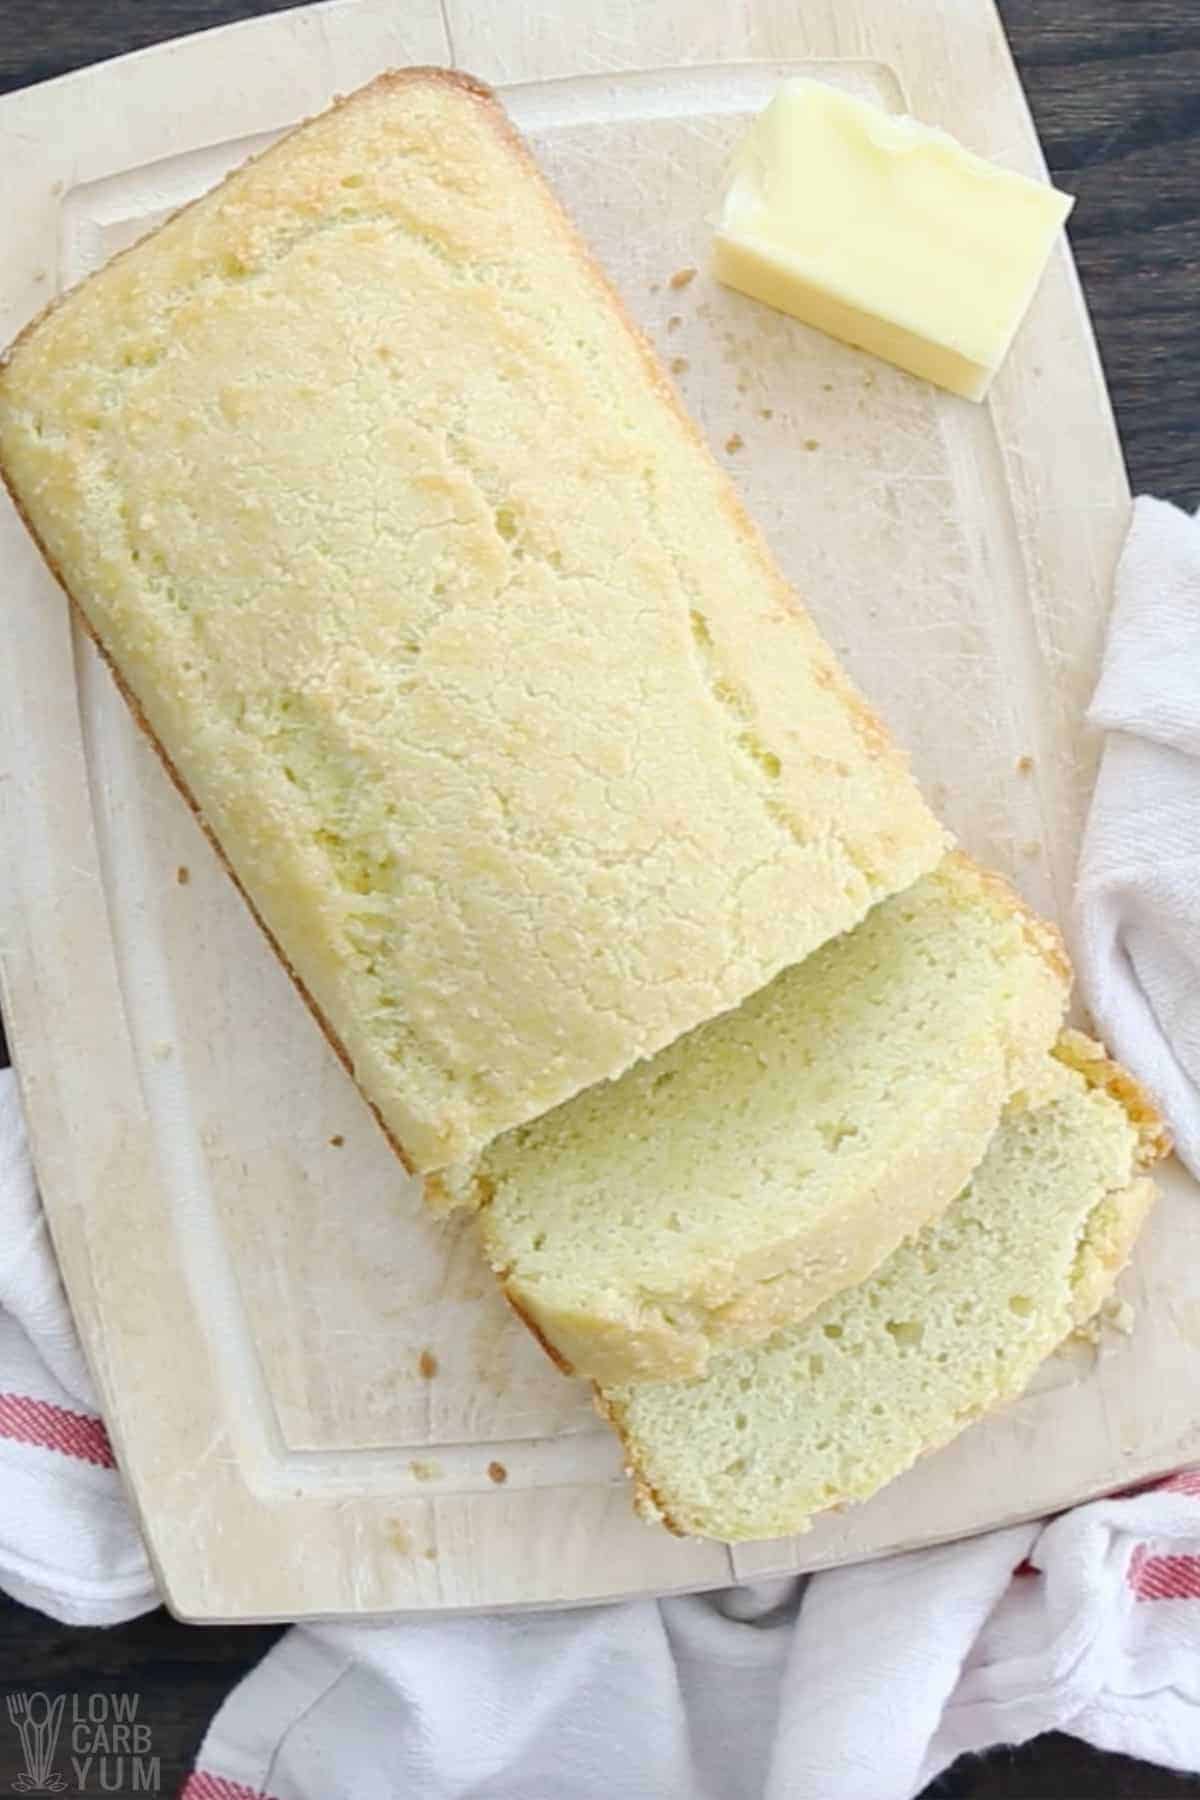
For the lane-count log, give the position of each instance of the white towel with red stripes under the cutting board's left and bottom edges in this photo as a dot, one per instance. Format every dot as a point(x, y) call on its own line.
point(857, 1686)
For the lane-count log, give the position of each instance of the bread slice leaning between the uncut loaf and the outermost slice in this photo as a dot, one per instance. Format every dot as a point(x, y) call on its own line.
point(780, 1153)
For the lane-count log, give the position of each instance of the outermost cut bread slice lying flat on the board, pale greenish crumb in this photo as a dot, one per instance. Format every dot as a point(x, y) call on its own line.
point(951, 1326)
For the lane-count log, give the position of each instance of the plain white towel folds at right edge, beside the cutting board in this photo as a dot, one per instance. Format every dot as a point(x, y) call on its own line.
point(1138, 904)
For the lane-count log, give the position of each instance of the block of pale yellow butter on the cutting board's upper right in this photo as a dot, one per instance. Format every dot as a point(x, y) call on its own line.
point(886, 233)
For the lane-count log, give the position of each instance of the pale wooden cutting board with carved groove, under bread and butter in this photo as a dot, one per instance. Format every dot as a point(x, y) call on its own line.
point(318, 1399)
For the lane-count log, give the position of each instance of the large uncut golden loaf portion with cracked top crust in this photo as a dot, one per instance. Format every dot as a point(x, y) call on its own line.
point(445, 620)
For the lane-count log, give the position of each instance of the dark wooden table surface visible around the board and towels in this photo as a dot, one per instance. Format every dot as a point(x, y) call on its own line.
point(1116, 93)
